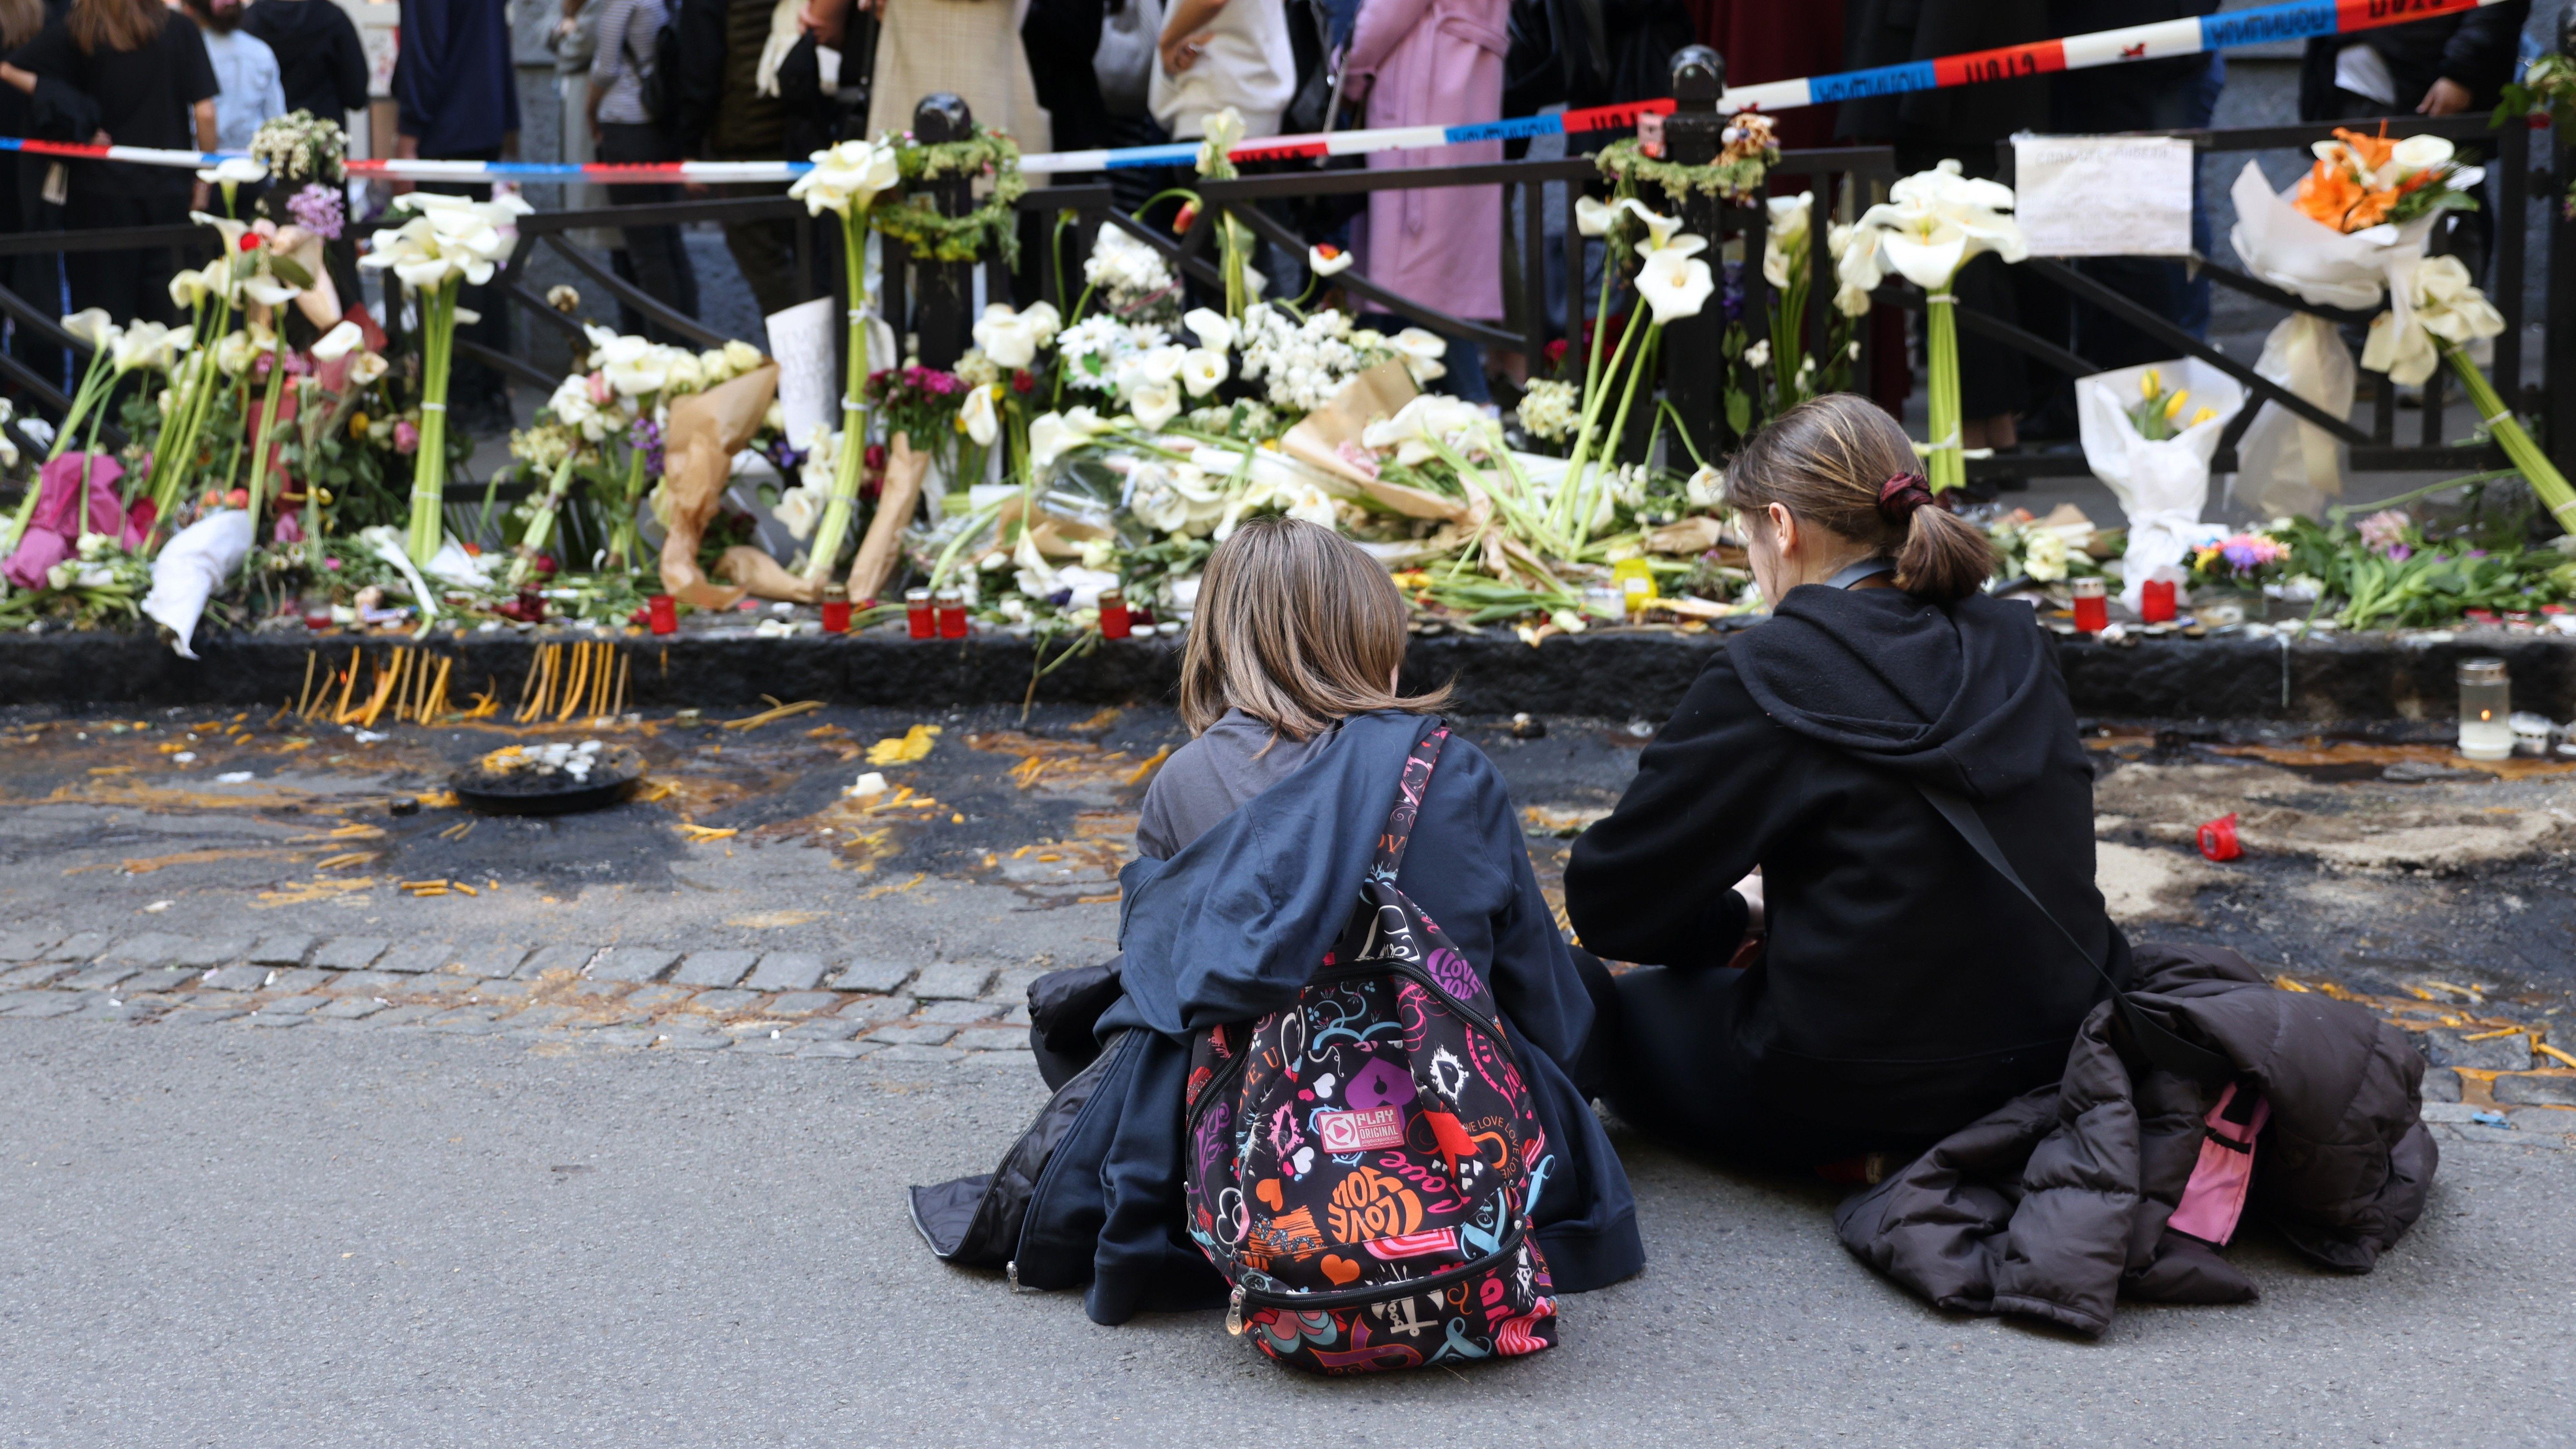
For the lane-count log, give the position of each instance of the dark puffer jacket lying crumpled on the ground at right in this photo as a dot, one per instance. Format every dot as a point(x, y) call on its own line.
point(2054, 1206)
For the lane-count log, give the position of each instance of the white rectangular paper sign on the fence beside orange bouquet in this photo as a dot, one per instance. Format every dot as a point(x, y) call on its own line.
point(2103, 197)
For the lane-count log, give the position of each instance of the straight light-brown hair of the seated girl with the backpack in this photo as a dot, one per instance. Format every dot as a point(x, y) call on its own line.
point(1300, 629)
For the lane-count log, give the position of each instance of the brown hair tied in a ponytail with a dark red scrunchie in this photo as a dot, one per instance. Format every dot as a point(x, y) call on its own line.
point(1830, 462)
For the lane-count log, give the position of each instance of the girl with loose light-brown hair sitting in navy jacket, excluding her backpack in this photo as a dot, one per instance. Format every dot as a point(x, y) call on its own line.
point(1253, 848)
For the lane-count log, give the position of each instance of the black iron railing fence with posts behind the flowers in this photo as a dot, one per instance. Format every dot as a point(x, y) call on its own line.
point(931, 302)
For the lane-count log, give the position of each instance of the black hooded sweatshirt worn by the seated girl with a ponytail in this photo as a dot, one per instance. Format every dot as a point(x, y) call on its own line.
point(1905, 987)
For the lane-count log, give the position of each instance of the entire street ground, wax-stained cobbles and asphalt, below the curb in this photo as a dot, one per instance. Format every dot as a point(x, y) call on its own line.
point(339, 1116)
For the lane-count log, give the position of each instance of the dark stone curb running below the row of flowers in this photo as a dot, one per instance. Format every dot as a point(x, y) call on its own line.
point(1614, 673)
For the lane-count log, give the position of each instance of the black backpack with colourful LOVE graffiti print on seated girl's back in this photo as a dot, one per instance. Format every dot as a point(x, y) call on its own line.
point(1364, 1162)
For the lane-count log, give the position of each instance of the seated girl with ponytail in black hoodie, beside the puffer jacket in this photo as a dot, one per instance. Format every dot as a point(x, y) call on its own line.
point(1905, 987)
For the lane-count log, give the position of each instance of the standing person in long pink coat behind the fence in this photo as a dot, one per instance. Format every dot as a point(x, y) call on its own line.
point(1436, 63)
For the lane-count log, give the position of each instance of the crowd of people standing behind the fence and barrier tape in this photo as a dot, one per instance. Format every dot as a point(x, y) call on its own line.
point(777, 78)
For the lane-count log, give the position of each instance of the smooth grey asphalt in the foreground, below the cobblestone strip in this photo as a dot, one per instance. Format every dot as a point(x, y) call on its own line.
point(228, 1237)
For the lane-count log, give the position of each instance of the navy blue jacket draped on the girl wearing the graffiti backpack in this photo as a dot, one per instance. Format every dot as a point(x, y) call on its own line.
point(1235, 925)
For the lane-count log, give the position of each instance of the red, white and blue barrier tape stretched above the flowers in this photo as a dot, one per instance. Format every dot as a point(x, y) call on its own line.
point(2268, 24)
